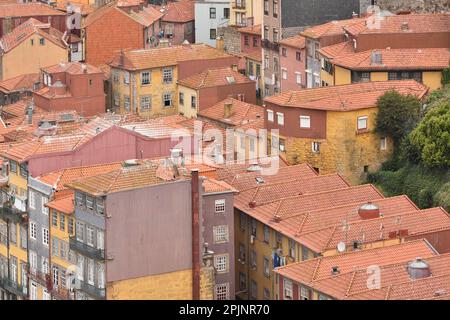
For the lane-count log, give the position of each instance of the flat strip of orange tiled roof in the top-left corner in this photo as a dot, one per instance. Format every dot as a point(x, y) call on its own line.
point(31, 9)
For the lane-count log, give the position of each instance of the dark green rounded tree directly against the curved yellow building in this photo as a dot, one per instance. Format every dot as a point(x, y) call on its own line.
point(397, 115)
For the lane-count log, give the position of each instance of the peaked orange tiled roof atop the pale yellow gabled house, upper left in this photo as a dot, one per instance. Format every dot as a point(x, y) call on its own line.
point(26, 29)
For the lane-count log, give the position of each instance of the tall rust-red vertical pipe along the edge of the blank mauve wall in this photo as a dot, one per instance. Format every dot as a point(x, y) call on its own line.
point(195, 235)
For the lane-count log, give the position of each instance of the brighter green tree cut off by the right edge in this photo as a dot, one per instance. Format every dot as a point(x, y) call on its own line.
point(431, 138)
